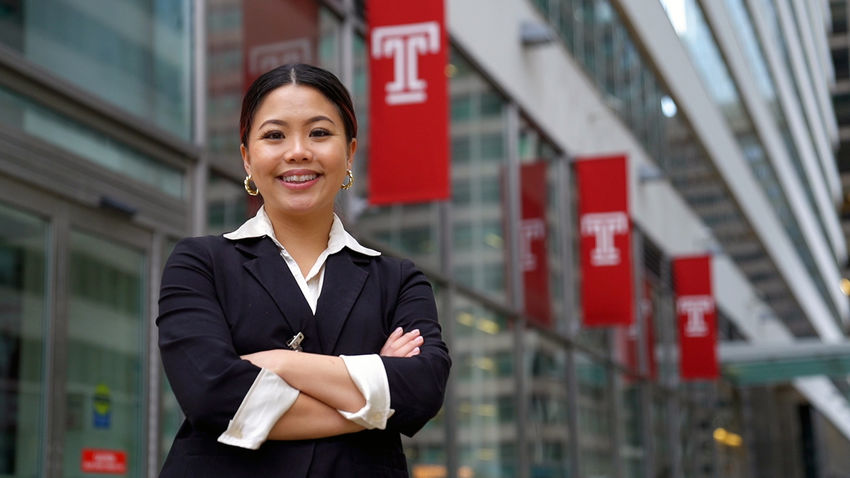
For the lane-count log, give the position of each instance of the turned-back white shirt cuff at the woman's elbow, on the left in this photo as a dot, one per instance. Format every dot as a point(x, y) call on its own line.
point(266, 401)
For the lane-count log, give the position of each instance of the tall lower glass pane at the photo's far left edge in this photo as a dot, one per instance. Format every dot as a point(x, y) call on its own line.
point(23, 313)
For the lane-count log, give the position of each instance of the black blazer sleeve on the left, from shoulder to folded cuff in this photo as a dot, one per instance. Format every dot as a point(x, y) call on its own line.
point(206, 374)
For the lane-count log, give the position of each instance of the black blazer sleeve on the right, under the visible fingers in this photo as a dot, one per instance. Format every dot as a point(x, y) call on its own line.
point(417, 384)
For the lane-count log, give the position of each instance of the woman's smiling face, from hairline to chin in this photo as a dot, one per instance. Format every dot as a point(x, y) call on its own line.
point(297, 152)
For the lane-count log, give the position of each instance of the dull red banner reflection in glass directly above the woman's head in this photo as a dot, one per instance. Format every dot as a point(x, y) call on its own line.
point(277, 32)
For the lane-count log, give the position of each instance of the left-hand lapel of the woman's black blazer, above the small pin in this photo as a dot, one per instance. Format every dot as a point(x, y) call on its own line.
point(271, 271)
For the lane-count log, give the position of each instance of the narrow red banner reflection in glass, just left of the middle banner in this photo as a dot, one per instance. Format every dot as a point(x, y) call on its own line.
point(533, 253)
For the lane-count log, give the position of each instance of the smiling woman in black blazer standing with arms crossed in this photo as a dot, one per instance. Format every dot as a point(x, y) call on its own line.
point(293, 350)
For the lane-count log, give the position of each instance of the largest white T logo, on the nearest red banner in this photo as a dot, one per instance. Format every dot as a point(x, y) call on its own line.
point(404, 43)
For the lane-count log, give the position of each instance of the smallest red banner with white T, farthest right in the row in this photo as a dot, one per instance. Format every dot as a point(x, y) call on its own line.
point(697, 318)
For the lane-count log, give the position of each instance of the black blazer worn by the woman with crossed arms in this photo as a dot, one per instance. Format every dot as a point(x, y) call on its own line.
point(221, 299)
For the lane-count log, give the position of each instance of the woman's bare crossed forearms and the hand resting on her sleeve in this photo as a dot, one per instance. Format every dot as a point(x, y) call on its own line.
point(325, 387)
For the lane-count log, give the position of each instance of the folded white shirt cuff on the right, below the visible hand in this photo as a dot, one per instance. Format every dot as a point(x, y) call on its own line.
point(370, 377)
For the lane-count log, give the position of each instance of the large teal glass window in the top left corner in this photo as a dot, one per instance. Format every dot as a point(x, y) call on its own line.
point(133, 54)
